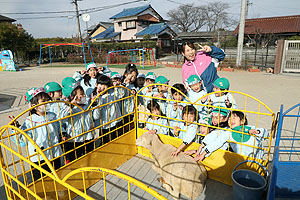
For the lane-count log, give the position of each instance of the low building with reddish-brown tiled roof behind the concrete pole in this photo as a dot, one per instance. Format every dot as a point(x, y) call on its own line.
point(270, 29)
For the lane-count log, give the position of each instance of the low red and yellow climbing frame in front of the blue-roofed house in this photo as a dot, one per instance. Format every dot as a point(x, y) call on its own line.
point(137, 56)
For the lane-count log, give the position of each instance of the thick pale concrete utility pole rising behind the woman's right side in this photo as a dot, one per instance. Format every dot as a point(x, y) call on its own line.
point(241, 34)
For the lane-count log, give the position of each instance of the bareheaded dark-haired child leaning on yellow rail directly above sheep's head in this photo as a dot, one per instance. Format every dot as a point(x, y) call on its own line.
point(154, 126)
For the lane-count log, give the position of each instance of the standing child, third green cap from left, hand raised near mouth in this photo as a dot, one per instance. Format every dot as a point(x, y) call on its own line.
point(80, 123)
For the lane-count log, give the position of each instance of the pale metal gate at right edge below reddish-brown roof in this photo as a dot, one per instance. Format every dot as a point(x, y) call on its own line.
point(291, 56)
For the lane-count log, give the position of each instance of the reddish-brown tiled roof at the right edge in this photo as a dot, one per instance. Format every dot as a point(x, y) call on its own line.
point(285, 24)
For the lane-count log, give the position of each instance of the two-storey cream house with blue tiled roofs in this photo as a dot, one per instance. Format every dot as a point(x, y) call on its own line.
point(133, 24)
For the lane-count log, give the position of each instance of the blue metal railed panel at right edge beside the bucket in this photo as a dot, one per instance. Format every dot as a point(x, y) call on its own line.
point(285, 177)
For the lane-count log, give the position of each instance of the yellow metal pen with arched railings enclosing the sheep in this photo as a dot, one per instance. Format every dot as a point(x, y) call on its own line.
point(76, 177)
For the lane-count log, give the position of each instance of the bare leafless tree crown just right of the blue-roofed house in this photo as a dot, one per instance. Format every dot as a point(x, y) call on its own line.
point(187, 18)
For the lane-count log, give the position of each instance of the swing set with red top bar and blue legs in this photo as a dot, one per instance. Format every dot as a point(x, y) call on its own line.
point(42, 46)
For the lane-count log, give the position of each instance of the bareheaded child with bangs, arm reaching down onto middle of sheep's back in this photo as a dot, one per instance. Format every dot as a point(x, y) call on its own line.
point(189, 115)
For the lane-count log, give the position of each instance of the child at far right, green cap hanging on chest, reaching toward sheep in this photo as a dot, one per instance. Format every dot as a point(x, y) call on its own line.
point(237, 122)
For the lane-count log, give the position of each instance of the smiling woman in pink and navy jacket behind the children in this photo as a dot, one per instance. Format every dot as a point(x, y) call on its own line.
point(201, 63)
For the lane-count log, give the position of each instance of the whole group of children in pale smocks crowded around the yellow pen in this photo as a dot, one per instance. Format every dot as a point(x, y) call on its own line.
point(171, 113)
